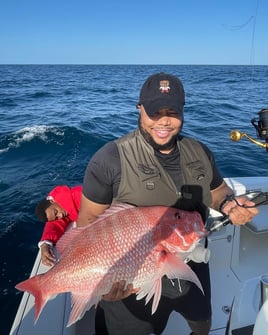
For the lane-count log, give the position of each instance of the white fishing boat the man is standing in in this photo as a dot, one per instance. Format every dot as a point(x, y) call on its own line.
point(239, 277)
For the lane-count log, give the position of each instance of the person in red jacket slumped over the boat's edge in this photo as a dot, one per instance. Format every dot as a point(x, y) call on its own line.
point(58, 210)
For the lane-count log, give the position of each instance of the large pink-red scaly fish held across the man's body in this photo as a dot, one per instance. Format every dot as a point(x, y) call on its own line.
point(137, 244)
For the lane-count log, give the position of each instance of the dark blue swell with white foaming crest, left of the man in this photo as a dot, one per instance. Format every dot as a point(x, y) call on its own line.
point(38, 158)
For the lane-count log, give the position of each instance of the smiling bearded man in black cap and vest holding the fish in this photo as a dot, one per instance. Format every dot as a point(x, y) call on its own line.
point(154, 165)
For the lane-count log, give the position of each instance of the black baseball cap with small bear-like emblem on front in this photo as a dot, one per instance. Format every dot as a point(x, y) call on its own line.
point(162, 90)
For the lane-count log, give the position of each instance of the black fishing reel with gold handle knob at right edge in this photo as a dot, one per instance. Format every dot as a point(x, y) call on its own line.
point(261, 126)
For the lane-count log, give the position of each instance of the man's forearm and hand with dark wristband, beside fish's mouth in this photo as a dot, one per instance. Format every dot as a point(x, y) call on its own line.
point(237, 213)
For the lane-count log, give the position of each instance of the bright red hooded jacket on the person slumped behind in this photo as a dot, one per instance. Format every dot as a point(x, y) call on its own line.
point(68, 198)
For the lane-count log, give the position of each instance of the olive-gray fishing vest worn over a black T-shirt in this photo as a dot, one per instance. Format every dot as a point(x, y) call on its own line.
point(144, 182)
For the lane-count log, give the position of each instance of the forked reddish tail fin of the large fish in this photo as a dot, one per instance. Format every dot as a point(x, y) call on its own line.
point(33, 286)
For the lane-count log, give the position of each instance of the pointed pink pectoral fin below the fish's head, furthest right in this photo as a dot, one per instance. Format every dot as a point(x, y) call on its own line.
point(175, 268)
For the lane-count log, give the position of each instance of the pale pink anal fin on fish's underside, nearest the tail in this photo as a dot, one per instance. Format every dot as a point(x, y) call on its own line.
point(81, 302)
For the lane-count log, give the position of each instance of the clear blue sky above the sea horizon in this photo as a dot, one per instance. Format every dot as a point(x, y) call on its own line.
point(134, 32)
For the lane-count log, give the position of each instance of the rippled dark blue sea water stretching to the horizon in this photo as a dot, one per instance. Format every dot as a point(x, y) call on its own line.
point(54, 117)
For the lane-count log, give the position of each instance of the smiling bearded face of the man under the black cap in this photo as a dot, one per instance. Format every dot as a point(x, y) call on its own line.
point(160, 130)
